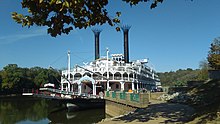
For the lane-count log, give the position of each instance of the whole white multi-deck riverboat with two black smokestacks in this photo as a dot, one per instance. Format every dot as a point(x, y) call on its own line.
point(109, 73)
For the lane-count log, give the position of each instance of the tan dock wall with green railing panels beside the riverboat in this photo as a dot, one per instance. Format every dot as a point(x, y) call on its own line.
point(120, 103)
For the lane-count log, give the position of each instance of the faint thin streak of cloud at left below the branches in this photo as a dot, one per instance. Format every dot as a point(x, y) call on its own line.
point(24, 35)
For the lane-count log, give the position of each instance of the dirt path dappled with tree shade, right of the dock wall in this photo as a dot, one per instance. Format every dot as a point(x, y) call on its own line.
point(155, 114)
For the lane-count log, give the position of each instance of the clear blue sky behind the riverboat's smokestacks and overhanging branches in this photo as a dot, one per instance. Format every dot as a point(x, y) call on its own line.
point(175, 35)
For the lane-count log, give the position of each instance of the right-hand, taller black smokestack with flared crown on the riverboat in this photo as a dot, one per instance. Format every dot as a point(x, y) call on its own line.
point(126, 47)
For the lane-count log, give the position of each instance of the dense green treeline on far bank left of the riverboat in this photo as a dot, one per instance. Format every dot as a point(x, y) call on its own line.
point(14, 79)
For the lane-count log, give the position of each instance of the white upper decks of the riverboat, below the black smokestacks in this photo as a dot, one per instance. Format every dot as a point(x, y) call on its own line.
point(114, 69)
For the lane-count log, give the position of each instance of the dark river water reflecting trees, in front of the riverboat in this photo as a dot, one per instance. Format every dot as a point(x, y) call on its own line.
point(30, 110)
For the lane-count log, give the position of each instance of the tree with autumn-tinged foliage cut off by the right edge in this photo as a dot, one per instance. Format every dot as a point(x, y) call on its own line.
point(214, 54)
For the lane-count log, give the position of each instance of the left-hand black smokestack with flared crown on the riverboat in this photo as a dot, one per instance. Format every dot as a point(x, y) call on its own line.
point(96, 33)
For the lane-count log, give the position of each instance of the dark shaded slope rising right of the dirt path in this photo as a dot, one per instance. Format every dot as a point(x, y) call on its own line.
point(206, 101)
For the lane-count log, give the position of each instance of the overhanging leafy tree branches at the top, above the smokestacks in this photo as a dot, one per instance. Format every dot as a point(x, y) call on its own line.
point(61, 16)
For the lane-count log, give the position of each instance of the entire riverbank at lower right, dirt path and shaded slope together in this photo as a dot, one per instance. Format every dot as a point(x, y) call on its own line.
point(200, 104)
